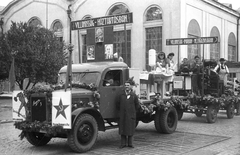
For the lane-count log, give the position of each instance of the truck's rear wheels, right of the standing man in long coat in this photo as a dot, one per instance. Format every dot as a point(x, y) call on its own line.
point(166, 121)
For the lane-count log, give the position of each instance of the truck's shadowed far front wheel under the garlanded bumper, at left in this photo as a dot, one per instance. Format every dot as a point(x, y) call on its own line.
point(37, 139)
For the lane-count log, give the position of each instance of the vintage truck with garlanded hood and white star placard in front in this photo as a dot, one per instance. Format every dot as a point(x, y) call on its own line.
point(90, 107)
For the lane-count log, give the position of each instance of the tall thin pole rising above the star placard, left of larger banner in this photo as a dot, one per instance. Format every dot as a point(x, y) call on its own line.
point(70, 49)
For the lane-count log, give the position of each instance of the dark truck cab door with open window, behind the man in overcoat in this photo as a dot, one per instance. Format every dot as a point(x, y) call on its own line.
point(110, 85)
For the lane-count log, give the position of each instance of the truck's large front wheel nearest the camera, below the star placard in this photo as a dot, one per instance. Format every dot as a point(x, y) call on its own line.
point(84, 133)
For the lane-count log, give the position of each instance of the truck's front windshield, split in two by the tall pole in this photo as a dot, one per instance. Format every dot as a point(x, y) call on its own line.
point(80, 78)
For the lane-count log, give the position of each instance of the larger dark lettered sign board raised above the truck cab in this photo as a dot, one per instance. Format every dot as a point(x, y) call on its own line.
point(102, 21)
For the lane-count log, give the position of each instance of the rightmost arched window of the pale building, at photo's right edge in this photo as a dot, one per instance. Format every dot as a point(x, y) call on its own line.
point(232, 54)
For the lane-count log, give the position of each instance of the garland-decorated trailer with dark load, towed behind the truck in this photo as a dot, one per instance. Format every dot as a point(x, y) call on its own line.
point(214, 95)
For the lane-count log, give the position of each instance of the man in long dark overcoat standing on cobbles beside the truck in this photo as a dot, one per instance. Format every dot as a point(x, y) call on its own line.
point(127, 104)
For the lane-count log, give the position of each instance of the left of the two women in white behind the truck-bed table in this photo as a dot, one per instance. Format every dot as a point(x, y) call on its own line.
point(162, 63)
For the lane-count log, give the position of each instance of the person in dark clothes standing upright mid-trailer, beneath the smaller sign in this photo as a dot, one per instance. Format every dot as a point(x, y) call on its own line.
point(197, 69)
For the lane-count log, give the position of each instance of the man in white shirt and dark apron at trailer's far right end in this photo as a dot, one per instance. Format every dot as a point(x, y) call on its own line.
point(222, 70)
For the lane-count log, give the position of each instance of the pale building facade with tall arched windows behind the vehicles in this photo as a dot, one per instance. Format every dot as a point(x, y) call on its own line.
point(154, 21)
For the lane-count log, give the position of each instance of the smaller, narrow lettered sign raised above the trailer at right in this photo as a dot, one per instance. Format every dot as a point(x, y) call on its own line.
point(189, 41)
